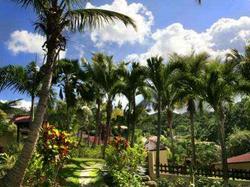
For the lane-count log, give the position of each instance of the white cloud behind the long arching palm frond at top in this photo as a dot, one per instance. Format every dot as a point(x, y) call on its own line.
point(118, 32)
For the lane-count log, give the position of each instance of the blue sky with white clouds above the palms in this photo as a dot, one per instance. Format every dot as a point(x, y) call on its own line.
point(163, 27)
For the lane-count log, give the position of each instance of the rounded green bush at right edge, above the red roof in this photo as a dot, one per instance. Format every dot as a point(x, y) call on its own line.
point(239, 142)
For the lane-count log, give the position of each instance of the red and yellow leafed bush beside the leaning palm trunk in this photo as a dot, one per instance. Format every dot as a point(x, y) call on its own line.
point(53, 150)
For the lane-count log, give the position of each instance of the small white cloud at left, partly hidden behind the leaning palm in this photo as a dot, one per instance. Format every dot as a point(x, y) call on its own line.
point(22, 41)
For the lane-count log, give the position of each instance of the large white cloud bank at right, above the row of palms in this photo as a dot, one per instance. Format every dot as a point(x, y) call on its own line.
point(217, 40)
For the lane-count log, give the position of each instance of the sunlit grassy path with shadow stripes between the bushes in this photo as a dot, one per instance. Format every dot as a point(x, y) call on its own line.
point(82, 172)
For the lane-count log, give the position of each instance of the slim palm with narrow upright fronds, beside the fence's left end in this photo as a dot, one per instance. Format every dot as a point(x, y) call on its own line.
point(155, 69)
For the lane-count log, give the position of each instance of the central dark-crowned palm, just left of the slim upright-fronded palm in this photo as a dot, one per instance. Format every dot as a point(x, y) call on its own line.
point(134, 84)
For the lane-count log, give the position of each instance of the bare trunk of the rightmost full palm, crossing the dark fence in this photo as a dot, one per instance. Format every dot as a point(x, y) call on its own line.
point(223, 146)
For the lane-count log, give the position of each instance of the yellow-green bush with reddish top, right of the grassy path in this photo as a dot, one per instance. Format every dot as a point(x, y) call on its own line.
point(123, 161)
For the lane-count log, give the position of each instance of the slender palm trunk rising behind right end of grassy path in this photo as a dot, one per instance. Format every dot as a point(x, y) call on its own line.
point(109, 112)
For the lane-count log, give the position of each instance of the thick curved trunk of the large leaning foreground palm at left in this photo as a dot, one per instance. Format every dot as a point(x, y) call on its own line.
point(14, 177)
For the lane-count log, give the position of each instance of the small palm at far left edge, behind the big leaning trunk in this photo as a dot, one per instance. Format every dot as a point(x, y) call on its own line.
point(23, 80)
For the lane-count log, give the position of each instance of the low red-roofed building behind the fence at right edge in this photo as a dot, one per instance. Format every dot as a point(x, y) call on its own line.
point(237, 162)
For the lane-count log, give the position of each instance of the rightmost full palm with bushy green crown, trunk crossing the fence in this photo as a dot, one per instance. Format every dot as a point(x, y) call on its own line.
point(220, 84)
